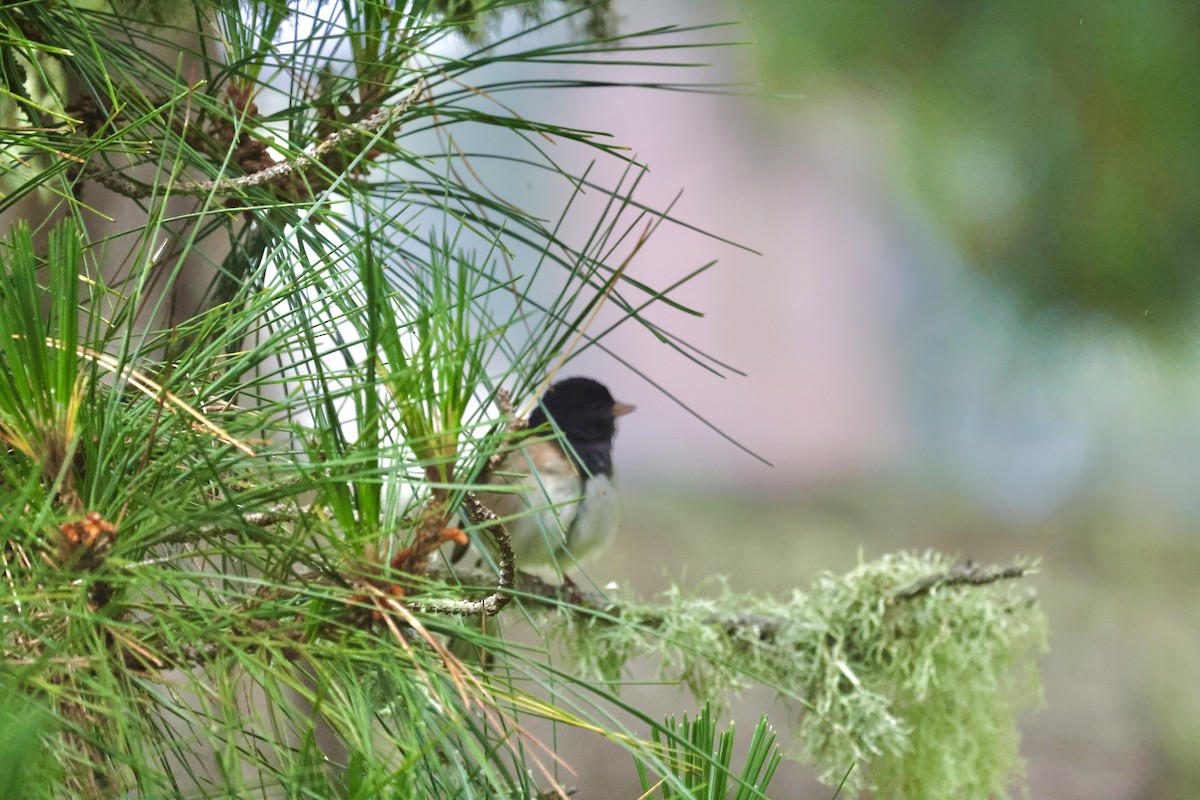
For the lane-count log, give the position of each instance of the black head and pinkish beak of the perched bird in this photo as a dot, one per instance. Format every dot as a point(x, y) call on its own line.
point(587, 414)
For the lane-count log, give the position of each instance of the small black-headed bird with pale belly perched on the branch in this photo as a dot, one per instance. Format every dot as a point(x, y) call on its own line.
point(562, 507)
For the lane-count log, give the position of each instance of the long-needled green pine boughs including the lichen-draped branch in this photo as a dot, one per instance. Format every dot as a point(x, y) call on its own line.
point(261, 316)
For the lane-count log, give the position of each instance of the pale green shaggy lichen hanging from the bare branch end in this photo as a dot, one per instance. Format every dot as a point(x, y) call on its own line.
point(919, 695)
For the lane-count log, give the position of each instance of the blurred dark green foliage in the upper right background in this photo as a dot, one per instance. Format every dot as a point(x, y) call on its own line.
point(1057, 143)
